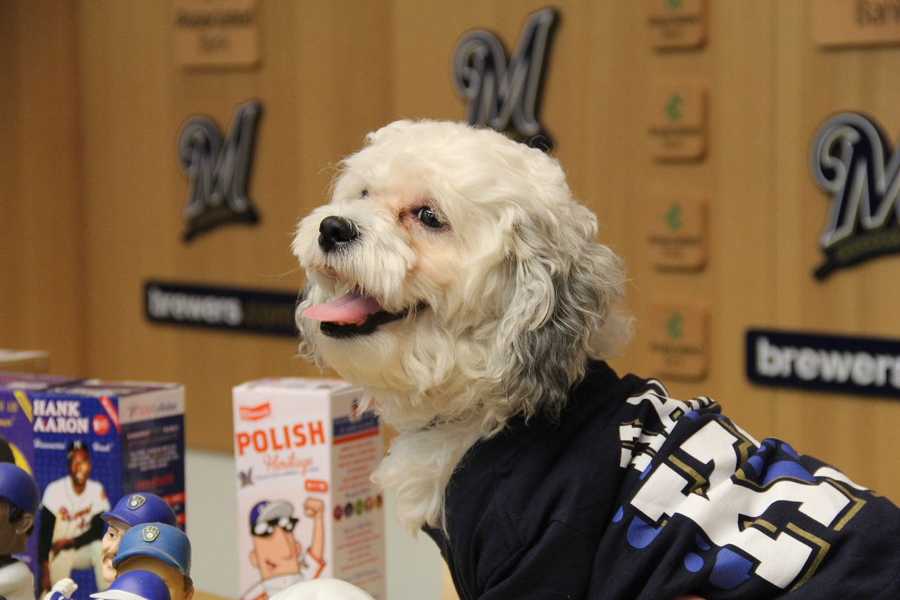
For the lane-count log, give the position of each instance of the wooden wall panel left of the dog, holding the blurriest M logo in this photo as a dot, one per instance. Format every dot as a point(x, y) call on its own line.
point(322, 83)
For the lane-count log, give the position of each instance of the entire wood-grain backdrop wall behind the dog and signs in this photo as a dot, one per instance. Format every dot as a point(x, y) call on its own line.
point(93, 193)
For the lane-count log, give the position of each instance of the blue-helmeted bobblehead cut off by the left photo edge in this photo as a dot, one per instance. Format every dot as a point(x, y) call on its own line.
point(18, 505)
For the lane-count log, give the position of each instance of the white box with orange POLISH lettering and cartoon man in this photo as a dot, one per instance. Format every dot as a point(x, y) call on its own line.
point(306, 506)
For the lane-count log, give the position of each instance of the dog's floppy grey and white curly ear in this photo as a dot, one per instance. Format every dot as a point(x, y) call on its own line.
point(560, 310)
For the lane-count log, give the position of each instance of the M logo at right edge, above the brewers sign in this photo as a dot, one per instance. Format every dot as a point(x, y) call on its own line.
point(854, 164)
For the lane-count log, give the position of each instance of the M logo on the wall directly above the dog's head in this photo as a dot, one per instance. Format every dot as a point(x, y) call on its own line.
point(506, 94)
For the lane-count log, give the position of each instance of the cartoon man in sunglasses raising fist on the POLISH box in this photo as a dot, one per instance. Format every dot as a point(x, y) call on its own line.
point(277, 555)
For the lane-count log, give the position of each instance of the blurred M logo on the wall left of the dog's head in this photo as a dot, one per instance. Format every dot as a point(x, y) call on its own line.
point(219, 170)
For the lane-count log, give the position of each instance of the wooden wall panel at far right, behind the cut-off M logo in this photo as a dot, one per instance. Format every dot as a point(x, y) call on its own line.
point(812, 83)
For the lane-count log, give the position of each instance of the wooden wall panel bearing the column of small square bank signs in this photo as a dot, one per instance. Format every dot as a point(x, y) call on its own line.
point(602, 69)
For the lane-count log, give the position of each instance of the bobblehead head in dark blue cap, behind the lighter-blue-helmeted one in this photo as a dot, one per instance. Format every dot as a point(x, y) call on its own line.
point(131, 510)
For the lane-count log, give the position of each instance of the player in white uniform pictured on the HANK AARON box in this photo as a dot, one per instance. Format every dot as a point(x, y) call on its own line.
point(71, 523)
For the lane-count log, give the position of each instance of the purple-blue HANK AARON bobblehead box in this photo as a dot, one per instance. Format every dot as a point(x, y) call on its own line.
point(90, 442)
